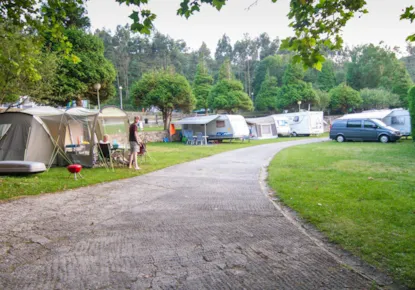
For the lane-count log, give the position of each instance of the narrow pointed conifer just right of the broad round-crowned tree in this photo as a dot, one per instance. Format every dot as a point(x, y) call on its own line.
point(202, 86)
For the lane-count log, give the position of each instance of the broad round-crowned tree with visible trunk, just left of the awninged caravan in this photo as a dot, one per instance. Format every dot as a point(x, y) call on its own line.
point(165, 90)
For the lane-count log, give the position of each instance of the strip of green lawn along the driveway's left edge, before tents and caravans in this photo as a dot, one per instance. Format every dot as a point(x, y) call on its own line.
point(165, 154)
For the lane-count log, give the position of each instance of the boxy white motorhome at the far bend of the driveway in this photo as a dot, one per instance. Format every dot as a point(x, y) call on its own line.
point(305, 123)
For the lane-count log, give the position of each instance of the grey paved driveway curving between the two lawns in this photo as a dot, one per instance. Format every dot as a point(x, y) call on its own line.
point(205, 224)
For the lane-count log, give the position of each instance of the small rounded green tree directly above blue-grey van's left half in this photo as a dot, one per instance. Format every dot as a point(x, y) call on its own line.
point(344, 99)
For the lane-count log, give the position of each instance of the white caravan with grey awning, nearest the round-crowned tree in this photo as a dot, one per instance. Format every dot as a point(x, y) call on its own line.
point(216, 127)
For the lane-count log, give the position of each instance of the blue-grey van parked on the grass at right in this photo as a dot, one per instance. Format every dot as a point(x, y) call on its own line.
point(363, 130)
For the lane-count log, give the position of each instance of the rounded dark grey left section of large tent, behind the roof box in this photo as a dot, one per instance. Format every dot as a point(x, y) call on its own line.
point(25, 137)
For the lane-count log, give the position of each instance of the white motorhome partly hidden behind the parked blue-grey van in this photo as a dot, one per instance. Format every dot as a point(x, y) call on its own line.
point(396, 118)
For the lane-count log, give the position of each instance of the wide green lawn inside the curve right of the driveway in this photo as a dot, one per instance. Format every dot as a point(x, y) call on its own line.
point(361, 195)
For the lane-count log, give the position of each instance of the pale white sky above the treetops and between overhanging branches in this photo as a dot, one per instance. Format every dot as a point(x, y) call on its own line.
point(381, 24)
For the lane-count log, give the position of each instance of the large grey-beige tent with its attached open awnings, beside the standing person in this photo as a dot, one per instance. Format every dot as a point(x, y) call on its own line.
point(56, 137)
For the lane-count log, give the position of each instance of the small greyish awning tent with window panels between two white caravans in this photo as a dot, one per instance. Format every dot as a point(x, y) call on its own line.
point(262, 128)
